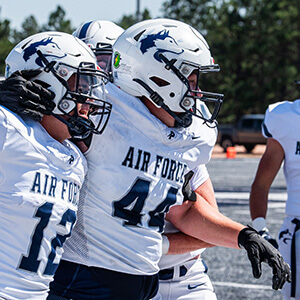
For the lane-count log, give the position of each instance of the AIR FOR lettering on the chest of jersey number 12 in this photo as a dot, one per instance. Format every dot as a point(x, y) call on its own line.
point(52, 186)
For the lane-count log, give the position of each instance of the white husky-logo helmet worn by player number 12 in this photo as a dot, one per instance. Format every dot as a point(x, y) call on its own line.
point(65, 60)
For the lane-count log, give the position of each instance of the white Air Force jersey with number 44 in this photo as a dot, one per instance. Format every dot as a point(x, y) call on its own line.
point(136, 171)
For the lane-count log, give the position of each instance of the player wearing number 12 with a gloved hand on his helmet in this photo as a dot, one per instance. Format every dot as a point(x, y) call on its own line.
point(41, 171)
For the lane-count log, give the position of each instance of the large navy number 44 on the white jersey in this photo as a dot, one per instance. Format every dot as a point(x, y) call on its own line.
point(130, 206)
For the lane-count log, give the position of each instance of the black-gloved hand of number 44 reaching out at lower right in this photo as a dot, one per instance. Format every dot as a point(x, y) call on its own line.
point(259, 250)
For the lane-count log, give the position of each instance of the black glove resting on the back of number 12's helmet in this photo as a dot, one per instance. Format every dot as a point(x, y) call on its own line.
point(26, 98)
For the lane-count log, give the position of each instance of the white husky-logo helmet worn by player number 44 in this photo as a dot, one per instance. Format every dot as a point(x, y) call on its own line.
point(154, 58)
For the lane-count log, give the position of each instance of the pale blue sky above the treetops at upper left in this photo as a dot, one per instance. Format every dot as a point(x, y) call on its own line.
point(77, 11)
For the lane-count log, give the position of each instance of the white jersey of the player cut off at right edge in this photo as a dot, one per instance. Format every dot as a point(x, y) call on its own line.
point(282, 123)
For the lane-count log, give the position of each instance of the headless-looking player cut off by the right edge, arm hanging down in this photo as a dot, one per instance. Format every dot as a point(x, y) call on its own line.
point(283, 146)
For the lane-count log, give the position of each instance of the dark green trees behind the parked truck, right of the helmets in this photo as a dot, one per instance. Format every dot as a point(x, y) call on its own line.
point(256, 43)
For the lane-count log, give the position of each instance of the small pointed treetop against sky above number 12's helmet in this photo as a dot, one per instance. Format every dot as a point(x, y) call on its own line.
point(57, 22)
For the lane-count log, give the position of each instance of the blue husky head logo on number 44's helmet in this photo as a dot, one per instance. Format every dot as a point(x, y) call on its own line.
point(152, 41)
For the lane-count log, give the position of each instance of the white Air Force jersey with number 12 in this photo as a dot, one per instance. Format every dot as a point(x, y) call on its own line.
point(39, 192)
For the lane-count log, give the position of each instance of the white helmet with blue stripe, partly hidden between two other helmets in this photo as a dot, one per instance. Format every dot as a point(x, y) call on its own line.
point(100, 36)
